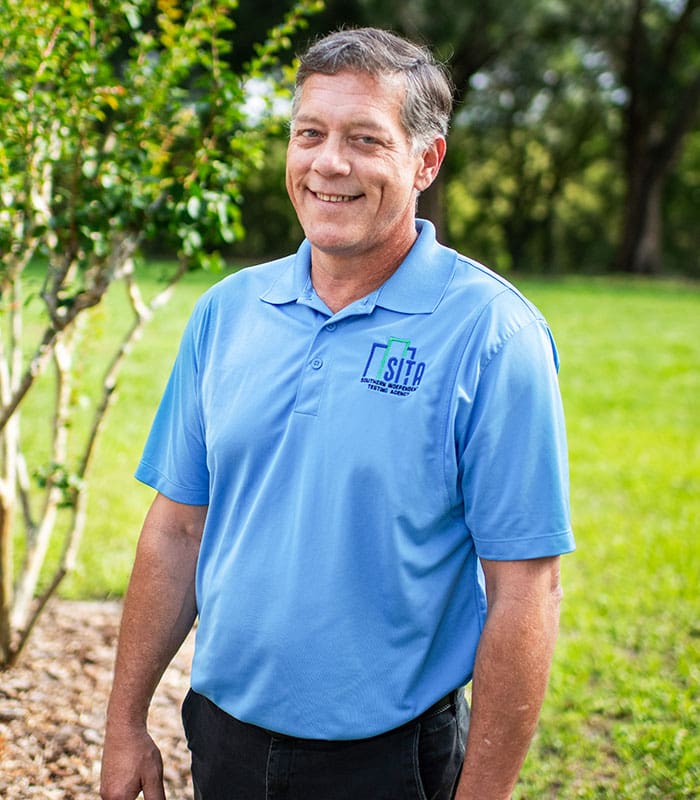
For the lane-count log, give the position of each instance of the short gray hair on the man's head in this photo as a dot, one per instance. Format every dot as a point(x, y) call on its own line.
point(427, 104)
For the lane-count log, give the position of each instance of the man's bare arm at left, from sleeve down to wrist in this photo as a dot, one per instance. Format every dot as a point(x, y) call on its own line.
point(159, 609)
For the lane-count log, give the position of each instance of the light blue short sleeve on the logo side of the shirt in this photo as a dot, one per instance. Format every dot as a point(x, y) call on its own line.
point(513, 452)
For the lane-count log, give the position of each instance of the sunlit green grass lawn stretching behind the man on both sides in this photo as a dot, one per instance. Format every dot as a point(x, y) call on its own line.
point(621, 716)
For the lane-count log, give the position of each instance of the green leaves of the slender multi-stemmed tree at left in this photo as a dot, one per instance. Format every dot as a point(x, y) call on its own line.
point(117, 120)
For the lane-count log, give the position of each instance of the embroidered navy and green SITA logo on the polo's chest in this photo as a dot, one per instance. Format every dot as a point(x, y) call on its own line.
point(393, 368)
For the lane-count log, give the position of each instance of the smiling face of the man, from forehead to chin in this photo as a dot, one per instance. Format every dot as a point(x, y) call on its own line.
point(351, 173)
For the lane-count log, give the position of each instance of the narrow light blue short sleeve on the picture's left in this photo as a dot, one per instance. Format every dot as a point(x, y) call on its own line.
point(174, 460)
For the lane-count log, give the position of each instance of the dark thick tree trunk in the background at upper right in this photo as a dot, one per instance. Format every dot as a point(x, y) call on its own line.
point(653, 51)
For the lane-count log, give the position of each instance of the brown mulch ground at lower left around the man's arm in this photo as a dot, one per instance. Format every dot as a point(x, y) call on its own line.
point(52, 708)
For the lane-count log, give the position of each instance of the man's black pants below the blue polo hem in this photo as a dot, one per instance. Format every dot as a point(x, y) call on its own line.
point(232, 760)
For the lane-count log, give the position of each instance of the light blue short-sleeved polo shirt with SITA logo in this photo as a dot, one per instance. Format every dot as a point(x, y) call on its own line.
point(356, 465)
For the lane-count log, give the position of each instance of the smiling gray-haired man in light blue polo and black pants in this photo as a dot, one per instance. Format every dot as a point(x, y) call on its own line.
point(362, 495)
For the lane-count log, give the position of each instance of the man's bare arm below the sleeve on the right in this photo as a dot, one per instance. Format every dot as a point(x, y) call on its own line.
point(510, 673)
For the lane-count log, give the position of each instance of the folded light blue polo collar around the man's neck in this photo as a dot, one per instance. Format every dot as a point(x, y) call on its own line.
point(416, 287)
